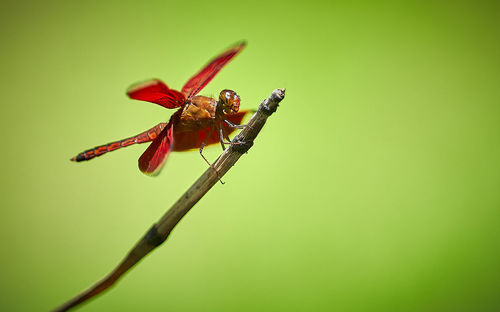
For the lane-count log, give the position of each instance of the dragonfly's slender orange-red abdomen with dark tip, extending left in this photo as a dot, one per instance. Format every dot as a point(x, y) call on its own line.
point(146, 136)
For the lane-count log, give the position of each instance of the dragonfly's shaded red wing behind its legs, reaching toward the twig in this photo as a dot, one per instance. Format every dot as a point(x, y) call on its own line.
point(193, 139)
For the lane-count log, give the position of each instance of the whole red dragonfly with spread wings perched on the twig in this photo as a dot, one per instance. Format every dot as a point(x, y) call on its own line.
point(199, 121)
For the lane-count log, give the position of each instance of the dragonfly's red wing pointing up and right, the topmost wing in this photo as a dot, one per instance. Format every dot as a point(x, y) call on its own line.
point(198, 81)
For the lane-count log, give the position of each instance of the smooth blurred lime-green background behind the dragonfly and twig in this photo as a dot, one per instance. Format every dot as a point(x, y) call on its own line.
point(375, 187)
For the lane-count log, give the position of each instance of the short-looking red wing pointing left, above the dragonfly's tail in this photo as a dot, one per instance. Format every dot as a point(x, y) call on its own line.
point(156, 91)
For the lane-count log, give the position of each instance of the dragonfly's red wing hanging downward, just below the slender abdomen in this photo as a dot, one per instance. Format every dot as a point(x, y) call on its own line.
point(152, 160)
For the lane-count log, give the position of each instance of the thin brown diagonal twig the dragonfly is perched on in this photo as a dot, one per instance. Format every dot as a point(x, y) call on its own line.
point(160, 231)
